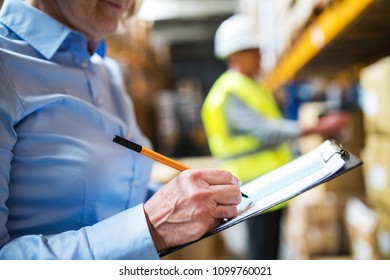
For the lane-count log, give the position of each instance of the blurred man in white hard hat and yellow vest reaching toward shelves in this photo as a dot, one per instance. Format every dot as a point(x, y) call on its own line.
point(245, 127)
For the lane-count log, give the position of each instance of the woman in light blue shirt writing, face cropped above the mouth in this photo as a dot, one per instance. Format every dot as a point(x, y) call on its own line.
point(66, 190)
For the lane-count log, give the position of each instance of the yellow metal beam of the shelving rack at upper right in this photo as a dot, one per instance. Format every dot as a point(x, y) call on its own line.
point(326, 27)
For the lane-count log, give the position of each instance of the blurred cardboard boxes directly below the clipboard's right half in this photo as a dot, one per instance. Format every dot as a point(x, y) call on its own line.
point(314, 227)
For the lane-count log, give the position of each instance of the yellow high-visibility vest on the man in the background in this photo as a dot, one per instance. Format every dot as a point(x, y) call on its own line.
point(241, 154)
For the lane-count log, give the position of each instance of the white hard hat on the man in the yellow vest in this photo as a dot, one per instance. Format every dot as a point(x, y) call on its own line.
point(237, 33)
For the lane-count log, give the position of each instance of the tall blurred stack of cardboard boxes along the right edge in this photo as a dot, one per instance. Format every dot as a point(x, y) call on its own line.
point(375, 84)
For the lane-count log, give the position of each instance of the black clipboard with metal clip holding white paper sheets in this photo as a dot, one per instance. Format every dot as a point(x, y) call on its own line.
point(327, 161)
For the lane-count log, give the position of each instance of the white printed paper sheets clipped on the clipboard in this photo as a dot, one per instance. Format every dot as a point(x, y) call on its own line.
point(288, 181)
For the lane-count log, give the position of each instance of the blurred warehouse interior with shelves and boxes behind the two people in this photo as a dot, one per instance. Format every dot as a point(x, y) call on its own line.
point(318, 55)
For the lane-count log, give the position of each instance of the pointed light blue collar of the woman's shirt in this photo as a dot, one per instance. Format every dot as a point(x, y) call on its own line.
point(38, 29)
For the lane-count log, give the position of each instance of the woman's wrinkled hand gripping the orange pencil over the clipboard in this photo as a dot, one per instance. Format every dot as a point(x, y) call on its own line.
point(190, 205)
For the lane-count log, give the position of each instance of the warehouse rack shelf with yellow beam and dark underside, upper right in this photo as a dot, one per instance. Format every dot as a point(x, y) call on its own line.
point(347, 34)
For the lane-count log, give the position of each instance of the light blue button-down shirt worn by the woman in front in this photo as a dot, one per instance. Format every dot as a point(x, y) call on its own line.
point(66, 190)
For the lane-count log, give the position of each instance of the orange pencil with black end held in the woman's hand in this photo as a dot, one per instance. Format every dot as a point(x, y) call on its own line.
point(153, 155)
